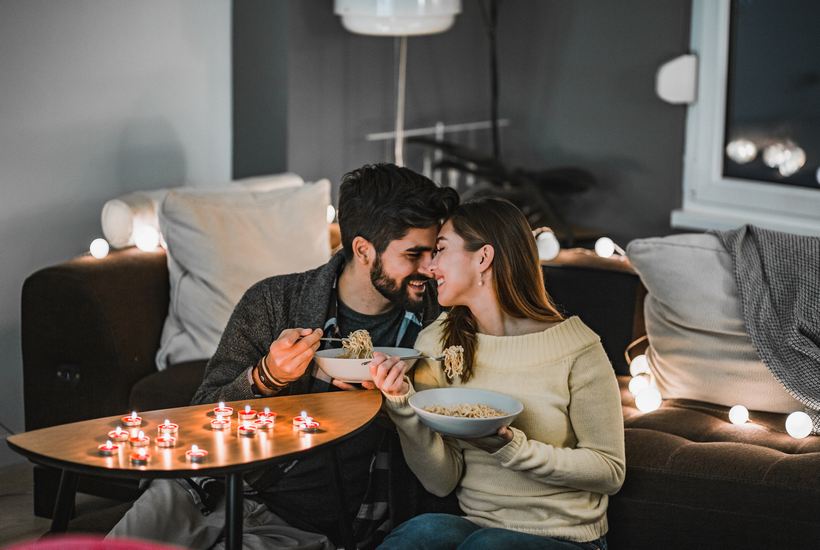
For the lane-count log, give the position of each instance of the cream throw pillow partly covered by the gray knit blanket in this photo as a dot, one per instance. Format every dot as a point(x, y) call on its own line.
point(699, 347)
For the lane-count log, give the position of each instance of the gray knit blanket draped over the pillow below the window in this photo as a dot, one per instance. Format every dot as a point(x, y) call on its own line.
point(778, 280)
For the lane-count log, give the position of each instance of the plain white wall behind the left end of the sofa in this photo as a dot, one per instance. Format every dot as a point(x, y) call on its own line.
point(98, 98)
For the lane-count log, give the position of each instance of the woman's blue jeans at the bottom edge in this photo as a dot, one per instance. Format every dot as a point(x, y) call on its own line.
point(446, 532)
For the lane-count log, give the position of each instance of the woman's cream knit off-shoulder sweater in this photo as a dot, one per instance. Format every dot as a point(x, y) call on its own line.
point(567, 453)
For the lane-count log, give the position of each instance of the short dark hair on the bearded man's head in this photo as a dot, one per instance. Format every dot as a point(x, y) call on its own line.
point(381, 202)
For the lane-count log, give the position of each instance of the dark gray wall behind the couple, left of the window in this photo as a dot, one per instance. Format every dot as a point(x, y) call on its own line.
point(577, 82)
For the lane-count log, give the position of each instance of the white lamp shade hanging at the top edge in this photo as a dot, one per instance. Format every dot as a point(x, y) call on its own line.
point(397, 17)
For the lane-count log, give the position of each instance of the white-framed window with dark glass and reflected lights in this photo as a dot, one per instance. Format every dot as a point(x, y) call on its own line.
point(753, 135)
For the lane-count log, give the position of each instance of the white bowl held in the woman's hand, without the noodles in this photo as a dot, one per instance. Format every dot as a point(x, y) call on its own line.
point(455, 426)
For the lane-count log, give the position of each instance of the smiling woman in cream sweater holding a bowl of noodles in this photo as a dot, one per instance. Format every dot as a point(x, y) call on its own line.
point(544, 481)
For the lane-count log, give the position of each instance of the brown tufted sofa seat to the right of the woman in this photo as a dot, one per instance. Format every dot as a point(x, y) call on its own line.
point(747, 486)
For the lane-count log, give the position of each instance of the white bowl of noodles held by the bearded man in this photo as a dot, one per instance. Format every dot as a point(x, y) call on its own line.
point(350, 363)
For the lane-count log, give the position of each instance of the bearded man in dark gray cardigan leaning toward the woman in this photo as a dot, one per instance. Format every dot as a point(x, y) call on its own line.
point(380, 282)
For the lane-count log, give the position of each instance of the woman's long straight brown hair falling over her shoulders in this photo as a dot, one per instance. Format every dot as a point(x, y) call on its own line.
point(517, 276)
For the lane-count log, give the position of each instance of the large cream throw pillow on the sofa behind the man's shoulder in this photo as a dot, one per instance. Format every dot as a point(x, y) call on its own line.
point(221, 243)
